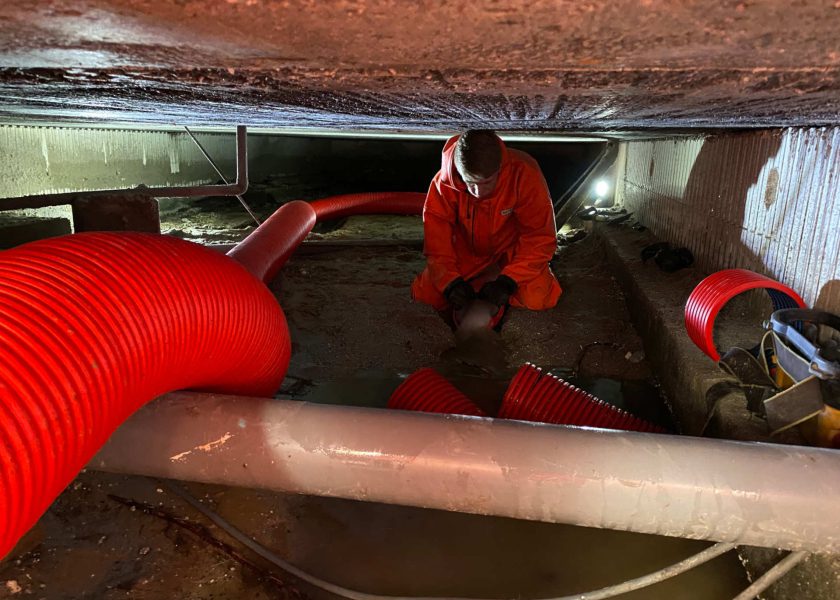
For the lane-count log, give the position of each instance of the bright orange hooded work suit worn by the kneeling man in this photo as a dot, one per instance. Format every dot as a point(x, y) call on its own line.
point(513, 229)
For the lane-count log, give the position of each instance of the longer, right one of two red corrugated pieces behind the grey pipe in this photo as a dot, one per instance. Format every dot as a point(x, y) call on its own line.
point(542, 397)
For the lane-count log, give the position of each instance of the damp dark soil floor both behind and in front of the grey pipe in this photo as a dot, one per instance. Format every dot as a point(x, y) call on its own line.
point(356, 334)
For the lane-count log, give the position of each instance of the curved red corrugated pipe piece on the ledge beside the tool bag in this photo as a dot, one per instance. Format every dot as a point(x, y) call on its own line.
point(716, 290)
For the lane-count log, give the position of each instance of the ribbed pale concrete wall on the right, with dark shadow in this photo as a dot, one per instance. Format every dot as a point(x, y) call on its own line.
point(767, 201)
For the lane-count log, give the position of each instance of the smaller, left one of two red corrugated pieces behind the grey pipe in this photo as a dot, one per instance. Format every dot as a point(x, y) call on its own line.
point(427, 391)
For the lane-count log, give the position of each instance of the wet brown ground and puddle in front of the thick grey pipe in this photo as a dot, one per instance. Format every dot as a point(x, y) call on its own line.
point(115, 537)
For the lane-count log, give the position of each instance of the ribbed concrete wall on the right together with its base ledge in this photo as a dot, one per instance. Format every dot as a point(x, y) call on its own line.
point(768, 201)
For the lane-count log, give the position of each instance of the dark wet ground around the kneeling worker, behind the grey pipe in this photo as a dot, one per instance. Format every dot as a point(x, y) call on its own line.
point(336, 296)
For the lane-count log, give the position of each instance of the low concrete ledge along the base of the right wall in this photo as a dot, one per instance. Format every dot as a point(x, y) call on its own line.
point(656, 301)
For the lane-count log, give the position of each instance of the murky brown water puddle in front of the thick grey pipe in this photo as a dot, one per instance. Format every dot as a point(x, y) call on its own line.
point(396, 550)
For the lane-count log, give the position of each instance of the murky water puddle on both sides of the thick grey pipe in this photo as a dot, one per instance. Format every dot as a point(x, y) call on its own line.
point(411, 551)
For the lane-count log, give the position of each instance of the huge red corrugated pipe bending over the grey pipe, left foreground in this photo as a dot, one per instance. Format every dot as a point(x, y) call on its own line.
point(94, 325)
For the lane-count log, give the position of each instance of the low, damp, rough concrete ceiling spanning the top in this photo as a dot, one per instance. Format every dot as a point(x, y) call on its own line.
point(527, 65)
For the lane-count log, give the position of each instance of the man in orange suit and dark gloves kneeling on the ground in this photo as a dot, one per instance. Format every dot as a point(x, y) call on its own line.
point(489, 229)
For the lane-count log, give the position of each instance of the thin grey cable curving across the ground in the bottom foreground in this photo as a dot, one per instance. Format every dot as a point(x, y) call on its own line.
point(607, 592)
